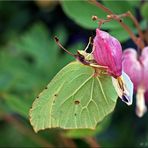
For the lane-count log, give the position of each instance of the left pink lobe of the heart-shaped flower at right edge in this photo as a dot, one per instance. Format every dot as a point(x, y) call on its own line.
point(132, 66)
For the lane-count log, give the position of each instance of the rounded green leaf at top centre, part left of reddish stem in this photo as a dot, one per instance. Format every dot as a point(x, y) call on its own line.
point(81, 12)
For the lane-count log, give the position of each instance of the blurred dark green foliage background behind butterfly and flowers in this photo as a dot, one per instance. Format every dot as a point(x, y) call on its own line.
point(29, 58)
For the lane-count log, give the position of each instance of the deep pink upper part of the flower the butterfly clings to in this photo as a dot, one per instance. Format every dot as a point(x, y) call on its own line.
point(107, 51)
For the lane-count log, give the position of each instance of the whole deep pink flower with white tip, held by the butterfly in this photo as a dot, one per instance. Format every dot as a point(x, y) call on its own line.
point(107, 51)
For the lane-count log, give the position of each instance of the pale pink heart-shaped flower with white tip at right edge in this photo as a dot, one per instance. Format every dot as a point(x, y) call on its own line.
point(137, 68)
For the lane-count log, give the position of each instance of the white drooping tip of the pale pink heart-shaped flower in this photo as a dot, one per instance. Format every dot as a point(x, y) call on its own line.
point(140, 103)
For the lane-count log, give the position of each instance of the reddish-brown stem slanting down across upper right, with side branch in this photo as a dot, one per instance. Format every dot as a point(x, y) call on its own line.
point(135, 39)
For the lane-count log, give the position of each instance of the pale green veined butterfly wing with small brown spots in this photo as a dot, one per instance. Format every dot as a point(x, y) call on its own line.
point(74, 99)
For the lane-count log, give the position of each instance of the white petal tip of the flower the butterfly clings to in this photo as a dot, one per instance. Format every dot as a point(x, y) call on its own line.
point(124, 88)
